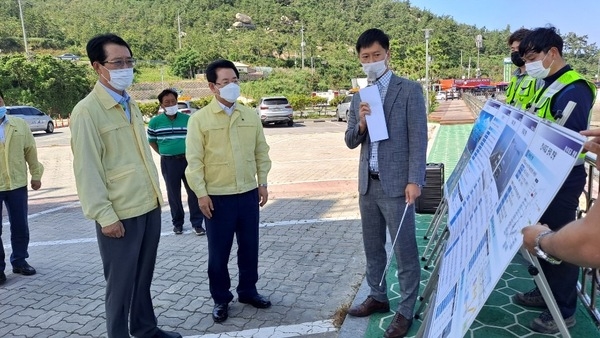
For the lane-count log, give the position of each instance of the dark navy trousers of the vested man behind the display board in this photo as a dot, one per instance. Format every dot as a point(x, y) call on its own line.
point(562, 278)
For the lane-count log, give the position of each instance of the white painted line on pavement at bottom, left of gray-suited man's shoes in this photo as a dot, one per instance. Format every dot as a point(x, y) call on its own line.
point(284, 331)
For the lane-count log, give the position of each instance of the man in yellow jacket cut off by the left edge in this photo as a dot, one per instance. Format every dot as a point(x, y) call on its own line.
point(17, 147)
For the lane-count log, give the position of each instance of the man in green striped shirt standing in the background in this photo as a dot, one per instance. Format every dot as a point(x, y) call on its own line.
point(166, 134)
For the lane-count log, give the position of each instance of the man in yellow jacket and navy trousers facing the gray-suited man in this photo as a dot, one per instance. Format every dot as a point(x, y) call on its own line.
point(227, 154)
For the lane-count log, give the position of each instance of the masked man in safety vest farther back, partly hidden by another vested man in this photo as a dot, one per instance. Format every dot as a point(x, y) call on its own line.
point(522, 87)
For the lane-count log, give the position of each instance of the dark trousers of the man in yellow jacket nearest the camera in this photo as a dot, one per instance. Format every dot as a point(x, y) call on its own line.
point(128, 268)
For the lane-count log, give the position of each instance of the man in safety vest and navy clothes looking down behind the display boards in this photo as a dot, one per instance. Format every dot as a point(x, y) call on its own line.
point(542, 52)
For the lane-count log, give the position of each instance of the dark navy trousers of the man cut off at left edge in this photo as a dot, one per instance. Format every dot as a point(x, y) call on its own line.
point(16, 205)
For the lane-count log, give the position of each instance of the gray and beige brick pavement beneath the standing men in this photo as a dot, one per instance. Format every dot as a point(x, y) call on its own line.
point(311, 260)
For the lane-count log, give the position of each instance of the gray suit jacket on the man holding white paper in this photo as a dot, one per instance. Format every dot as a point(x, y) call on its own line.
point(402, 157)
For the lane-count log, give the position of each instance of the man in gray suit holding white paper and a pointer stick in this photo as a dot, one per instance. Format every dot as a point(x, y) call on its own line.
point(390, 176)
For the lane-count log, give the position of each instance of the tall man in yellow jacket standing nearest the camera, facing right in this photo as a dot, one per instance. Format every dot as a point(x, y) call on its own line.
point(117, 184)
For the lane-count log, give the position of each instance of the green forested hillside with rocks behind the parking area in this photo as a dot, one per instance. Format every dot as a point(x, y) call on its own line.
point(330, 31)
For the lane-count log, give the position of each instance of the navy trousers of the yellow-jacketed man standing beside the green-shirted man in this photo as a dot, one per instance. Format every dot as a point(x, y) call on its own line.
point(233, 214)
